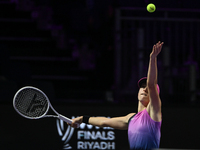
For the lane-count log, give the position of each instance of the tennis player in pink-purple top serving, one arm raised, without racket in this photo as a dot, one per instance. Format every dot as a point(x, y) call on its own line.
point(144, 126)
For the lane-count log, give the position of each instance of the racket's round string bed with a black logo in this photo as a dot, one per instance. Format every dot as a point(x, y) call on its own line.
point(31, 103)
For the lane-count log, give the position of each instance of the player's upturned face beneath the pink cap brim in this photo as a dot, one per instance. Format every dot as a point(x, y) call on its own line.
point(143, 93)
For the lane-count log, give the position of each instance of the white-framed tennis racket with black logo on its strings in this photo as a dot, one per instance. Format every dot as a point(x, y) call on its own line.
point(32, 103)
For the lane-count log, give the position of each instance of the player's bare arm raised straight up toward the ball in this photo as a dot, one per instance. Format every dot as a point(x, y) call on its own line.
point(155, 102)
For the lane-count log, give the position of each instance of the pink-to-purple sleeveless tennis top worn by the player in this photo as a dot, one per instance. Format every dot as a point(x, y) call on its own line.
point(143, 132)
